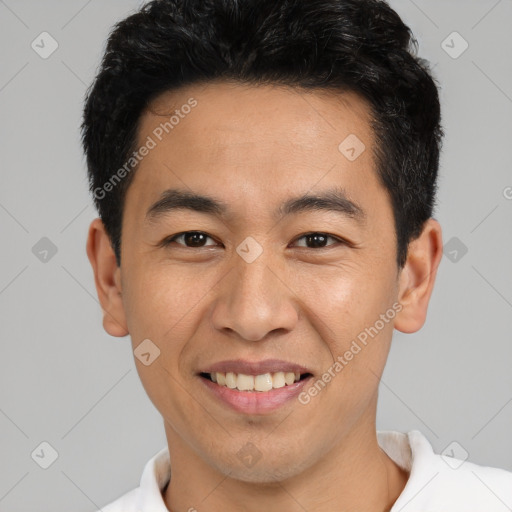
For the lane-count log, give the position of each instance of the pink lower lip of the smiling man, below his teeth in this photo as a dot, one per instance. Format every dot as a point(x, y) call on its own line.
point(256, 402)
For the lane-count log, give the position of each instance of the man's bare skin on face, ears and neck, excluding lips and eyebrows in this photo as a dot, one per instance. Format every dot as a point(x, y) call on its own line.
point(254, 147)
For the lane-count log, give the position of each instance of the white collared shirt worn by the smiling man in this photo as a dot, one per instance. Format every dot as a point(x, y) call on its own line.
point(437, 483)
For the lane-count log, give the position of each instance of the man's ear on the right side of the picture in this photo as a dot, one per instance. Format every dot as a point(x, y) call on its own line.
point(416, 280)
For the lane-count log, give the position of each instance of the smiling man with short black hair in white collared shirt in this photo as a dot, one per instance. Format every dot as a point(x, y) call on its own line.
point(265, 174)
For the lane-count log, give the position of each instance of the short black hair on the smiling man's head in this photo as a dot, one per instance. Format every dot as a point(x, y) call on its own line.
point(361, 46)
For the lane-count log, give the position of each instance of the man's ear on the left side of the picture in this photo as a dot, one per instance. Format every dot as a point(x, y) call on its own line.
point(107, 277)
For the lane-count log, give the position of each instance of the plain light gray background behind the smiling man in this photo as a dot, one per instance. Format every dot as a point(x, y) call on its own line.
point(63, 380)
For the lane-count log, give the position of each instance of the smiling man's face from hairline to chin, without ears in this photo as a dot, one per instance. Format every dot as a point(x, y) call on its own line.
point(268, 282)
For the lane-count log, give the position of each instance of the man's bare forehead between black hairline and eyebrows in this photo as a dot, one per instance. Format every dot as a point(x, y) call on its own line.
point(251, 144)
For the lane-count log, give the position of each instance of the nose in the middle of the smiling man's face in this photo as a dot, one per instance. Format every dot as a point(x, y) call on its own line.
point(254, 300)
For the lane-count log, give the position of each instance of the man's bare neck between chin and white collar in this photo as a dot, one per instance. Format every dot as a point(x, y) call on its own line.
point(356, 475)
